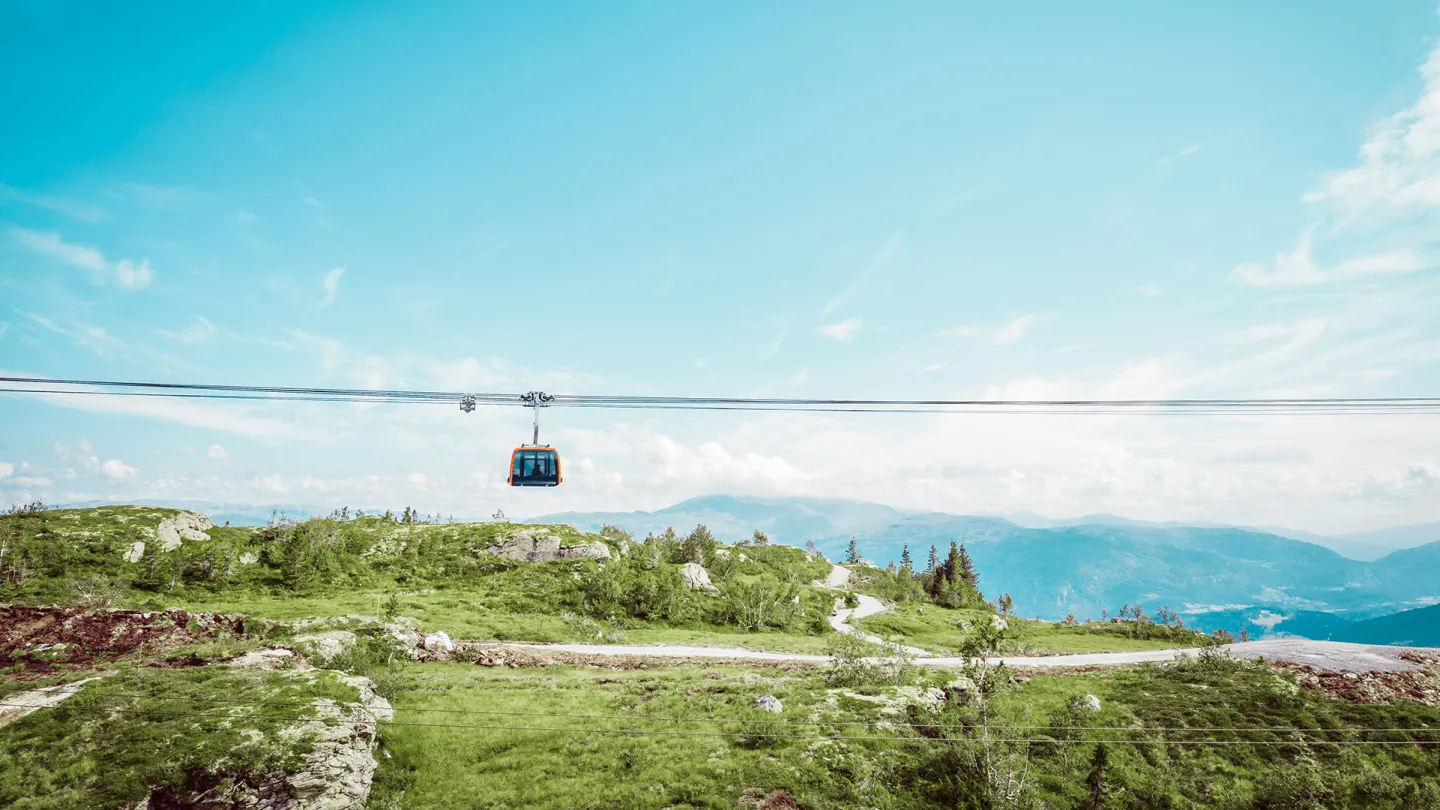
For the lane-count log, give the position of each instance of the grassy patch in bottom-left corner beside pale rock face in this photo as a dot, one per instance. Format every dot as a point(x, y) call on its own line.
point(148, 727)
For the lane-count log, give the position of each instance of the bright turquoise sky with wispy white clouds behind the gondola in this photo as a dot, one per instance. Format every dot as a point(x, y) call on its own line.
point(803, 200)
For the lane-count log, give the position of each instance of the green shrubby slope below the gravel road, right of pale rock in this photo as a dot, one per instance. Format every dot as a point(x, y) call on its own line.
point(901, 739)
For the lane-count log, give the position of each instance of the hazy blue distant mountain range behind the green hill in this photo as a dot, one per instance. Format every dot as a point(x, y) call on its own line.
point(1091, 564)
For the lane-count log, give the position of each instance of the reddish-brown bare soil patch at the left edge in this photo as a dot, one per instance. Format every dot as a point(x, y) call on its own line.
point(44, 636)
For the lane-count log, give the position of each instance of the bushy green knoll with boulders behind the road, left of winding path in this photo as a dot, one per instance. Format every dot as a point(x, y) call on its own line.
point(441, 574)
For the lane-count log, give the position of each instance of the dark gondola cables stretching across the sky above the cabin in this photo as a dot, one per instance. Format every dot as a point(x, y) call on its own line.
point(1104, 407)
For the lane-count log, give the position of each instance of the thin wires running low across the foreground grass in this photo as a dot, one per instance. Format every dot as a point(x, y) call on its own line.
point(731, 734)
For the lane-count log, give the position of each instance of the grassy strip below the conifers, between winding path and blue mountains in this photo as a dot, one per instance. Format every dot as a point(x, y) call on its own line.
point(940, 631)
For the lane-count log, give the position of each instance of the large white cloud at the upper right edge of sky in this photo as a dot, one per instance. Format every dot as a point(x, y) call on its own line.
point(1399, 164)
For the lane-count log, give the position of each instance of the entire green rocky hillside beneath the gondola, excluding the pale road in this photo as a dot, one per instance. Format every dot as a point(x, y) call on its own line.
point(374, 664)
